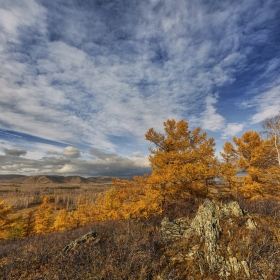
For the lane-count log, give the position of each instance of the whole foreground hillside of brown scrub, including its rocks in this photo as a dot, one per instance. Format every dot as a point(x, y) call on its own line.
point(183, 245)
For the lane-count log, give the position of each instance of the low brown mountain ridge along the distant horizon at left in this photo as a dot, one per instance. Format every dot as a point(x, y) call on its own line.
point(46, 179)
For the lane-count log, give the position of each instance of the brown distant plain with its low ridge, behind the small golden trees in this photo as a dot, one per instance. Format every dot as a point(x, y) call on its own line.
point(27, 191)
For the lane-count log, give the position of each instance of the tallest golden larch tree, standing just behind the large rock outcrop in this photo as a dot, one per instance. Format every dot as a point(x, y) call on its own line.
point(182, 161)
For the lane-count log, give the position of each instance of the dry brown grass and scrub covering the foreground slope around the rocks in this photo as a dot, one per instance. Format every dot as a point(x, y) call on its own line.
point(136, 250)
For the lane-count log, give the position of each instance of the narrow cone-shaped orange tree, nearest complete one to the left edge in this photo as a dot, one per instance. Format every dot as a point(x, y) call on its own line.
point(44, 217)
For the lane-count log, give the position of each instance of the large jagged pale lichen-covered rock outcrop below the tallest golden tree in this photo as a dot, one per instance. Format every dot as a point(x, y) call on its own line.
point(206, 227)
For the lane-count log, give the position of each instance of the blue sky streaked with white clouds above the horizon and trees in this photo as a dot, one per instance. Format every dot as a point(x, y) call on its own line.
point(81, 81)
